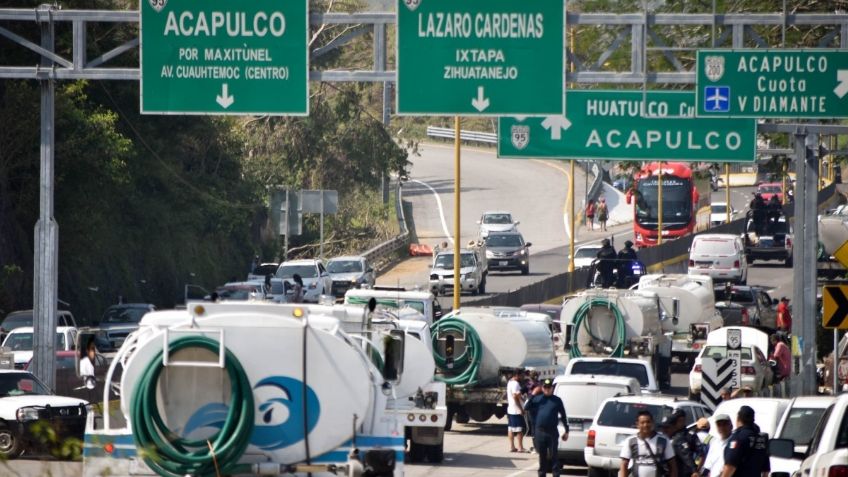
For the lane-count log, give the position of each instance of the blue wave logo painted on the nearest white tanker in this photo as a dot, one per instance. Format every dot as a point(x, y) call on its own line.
point(280, 419)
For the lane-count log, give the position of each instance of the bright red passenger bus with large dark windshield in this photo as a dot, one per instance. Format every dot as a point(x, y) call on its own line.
point(685, 207)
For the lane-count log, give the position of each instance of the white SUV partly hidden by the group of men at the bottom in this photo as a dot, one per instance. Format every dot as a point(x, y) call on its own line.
point(616, 421)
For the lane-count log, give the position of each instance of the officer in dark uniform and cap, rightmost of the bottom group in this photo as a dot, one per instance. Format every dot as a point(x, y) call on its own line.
point(746, 453)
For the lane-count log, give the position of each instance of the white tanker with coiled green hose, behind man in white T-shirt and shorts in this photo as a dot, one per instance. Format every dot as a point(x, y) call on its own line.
point(477, 349)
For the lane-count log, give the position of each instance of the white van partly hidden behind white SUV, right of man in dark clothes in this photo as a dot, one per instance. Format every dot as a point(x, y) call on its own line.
point(582, 395)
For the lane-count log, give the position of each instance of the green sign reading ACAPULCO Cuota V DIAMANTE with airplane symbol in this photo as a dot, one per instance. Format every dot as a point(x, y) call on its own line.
point(772, 83)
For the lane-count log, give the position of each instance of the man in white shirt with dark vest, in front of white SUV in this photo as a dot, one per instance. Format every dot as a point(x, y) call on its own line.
point(647, 453)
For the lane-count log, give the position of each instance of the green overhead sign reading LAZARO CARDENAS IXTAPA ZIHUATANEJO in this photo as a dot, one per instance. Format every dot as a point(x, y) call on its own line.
point(480, 57)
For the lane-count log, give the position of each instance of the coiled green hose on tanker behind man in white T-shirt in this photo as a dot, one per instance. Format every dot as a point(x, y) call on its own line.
point(468, 363)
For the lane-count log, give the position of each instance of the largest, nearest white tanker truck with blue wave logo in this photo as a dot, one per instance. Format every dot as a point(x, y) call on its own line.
point(250, 389)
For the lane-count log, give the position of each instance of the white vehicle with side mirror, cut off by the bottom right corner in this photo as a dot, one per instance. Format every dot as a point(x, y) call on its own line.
point(827, 454)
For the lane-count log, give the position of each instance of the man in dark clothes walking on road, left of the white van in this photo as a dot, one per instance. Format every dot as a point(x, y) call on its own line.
point(547, 411)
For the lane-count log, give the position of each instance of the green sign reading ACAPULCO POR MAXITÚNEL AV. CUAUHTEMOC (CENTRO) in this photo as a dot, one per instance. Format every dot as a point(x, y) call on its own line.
point(223, 57)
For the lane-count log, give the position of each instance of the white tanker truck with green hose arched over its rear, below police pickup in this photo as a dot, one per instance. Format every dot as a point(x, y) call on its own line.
point(618, 324)
